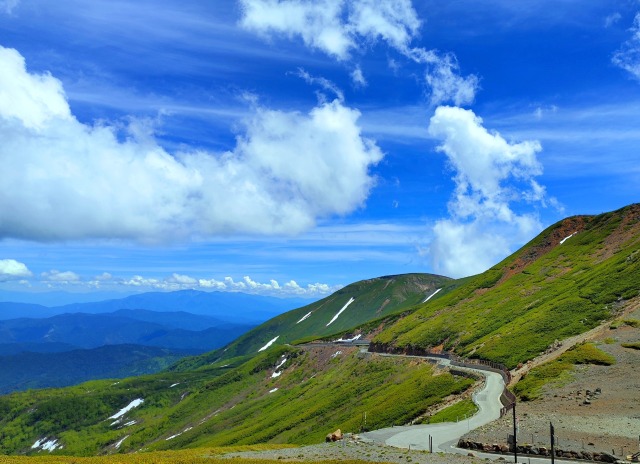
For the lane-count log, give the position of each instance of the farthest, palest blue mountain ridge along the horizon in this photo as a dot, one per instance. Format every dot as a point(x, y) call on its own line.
point(231, 307)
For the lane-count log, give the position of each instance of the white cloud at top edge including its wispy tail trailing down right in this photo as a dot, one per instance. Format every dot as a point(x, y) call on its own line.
point(350, 25)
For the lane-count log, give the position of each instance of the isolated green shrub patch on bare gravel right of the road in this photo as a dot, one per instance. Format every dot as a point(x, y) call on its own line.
point(559, 371)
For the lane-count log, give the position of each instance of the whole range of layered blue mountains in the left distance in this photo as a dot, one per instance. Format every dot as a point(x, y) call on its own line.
point(44, 346)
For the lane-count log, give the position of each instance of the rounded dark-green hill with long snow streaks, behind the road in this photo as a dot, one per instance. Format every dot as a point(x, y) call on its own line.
point(354, 305)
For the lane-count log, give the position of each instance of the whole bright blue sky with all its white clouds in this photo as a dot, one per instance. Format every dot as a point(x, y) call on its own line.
point(291, 147)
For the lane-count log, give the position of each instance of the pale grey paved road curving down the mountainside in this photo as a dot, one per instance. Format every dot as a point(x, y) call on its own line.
point(446, 434)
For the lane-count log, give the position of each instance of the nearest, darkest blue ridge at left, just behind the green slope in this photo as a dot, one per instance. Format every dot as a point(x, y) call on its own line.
point(27, 370)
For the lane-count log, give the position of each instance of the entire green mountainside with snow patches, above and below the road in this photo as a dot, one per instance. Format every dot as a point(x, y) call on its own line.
point(573, 276)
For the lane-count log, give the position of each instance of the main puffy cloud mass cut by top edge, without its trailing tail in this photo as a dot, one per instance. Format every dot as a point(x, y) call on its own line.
point(335, 27)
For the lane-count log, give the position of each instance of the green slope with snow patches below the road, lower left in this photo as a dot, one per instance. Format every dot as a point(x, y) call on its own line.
point(282, 395)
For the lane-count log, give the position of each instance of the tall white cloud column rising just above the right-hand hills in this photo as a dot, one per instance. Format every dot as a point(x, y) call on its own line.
point(491, 176)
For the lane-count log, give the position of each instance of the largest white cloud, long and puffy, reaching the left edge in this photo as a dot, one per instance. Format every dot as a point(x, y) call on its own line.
point(62, 179)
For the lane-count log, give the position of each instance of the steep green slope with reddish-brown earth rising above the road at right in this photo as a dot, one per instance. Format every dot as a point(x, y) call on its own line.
point(574, 275)
